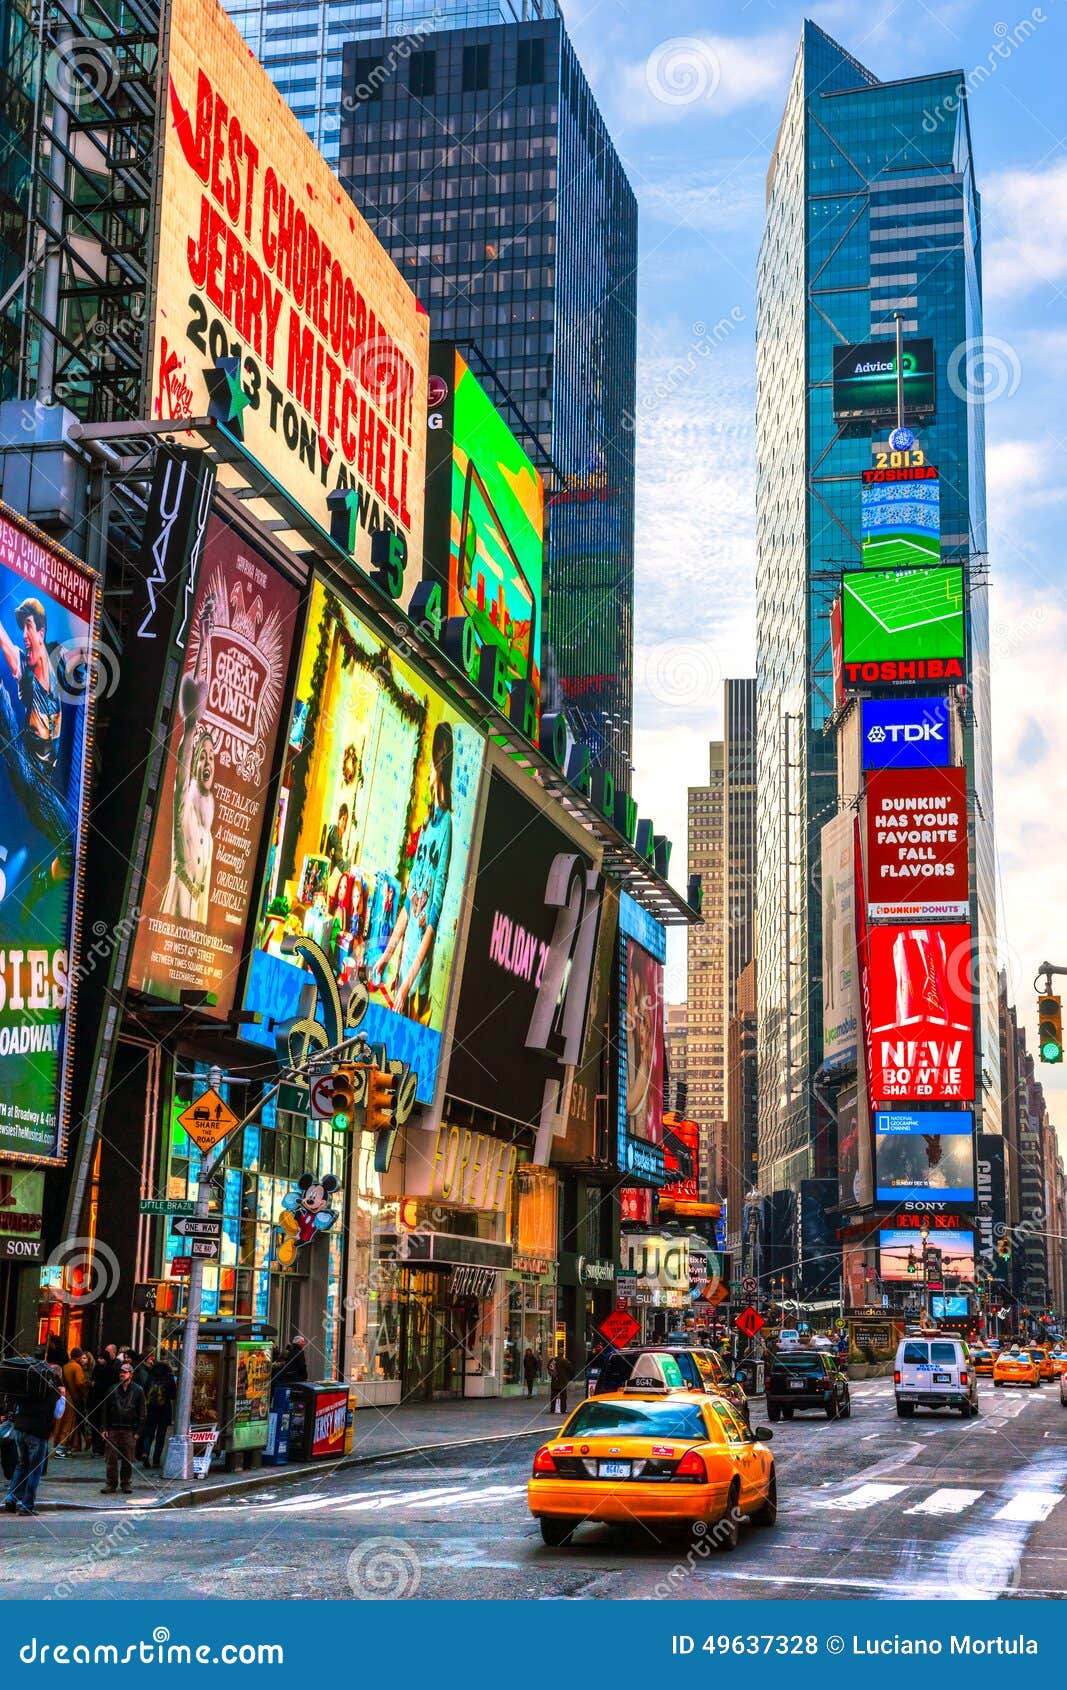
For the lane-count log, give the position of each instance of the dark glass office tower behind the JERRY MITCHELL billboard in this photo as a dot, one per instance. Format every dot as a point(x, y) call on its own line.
point(484, 168)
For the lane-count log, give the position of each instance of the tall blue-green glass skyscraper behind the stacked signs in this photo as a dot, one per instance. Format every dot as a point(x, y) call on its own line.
point(872, 214)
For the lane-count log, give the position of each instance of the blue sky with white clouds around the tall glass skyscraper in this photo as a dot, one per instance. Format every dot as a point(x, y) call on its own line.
point(692, 92)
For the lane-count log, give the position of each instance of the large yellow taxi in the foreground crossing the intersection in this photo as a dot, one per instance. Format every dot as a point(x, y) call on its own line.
point(664, 1461)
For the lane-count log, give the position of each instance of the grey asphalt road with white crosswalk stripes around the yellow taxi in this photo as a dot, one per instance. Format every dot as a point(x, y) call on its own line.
point(873, 1507)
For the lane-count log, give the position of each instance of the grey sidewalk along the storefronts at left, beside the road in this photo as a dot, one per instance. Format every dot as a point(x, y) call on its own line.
point(75, 1481)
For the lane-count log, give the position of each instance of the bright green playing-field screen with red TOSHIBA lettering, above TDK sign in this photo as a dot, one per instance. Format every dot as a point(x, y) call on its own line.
point(900, 623)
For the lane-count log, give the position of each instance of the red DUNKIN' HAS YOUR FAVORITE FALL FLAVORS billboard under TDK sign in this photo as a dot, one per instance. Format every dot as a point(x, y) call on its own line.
point(917, 844)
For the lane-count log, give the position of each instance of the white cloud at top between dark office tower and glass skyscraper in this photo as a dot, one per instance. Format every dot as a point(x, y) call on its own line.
point(708, 75)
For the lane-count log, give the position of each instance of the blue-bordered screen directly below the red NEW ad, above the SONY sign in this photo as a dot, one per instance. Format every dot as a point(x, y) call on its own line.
point(924, 1155)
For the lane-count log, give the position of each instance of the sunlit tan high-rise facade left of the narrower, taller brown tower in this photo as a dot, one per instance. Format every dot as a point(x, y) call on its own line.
point(706, 961)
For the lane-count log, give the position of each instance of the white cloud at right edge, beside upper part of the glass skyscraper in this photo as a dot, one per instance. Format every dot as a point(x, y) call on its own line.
point(1026, 231)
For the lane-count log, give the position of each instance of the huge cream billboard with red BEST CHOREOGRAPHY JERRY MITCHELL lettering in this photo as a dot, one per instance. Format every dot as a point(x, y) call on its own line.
point(275, 303)
